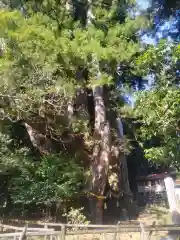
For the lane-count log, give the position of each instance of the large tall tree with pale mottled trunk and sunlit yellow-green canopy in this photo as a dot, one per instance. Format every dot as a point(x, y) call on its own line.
point(60, 67)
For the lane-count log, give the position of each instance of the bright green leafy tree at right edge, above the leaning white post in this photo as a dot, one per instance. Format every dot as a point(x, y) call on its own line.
point(158, 107)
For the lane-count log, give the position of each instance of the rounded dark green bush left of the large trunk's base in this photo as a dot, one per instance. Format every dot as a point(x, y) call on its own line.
point(54, 178)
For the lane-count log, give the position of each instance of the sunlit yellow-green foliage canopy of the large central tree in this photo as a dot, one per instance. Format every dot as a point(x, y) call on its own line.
point(43, 53)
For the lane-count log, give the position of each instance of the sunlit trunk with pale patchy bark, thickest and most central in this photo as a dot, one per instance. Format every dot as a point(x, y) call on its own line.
point(101, 153)
